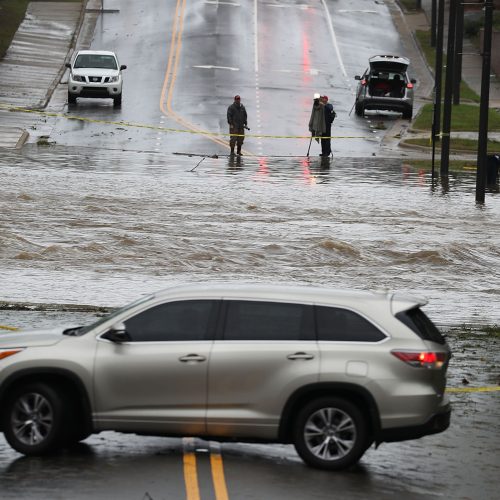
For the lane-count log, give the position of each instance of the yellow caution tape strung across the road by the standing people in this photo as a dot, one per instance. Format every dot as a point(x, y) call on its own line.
point(166, 129)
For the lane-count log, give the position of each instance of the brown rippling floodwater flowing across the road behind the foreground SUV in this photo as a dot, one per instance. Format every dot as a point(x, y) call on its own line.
point(101, 227)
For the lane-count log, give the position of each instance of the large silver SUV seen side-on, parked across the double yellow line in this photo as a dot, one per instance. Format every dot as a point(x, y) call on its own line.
point(330, 371)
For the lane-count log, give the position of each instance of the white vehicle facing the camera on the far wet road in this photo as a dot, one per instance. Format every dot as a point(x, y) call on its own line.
point(95, 73)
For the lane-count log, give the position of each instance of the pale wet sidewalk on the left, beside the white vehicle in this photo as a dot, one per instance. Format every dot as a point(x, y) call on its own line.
point(34, 63)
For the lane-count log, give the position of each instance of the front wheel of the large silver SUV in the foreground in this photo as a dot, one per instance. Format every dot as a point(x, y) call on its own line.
point(33, 419)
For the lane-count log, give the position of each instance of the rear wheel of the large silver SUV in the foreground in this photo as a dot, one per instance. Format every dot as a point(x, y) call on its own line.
point(330, 433)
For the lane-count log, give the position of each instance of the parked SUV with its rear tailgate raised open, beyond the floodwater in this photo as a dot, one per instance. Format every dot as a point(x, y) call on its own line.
point(385, 86)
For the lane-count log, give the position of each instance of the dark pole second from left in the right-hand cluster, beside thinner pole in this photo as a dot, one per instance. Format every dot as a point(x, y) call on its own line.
point(448, 90)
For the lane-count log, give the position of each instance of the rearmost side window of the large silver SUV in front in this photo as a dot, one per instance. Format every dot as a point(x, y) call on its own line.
point(341, 325)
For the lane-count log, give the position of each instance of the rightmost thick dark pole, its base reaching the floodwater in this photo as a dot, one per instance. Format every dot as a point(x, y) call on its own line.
point(482, 149)
